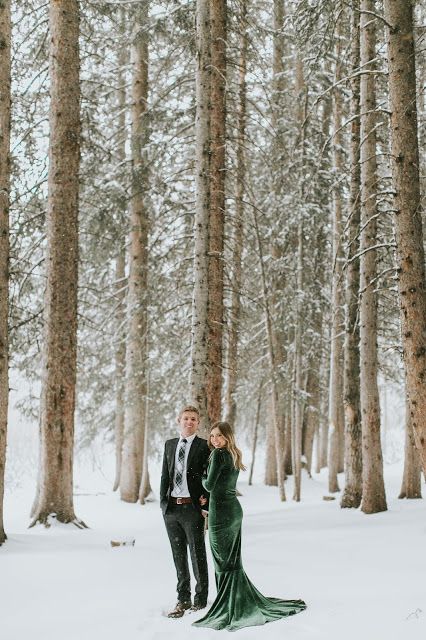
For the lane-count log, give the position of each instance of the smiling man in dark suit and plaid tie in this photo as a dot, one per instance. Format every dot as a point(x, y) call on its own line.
point(181, 498)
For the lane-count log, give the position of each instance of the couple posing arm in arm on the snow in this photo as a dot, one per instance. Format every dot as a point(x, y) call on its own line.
point(199, 478)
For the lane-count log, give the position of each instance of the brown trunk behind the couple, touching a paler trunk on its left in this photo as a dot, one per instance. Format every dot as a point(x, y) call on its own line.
point(217, 207)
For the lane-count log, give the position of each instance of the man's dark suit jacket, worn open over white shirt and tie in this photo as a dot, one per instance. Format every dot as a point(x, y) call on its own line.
point(196, 465)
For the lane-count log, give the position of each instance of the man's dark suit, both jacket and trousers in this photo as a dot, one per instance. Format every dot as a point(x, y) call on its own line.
point(185, 523)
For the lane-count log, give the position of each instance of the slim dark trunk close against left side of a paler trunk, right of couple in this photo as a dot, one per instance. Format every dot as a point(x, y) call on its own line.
point(353, 444)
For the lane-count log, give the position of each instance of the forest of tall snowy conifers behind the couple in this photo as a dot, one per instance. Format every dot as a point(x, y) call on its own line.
point(217, 203)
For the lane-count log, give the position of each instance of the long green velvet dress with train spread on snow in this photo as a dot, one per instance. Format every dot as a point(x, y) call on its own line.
point(238, 603)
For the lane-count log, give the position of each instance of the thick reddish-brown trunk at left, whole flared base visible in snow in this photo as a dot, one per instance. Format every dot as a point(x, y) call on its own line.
point(55, 491)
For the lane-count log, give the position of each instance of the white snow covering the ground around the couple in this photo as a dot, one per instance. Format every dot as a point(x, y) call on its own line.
point(361, 576)
